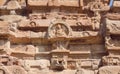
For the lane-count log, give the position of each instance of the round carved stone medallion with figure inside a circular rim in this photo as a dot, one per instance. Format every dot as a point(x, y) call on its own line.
point(59, 30)
